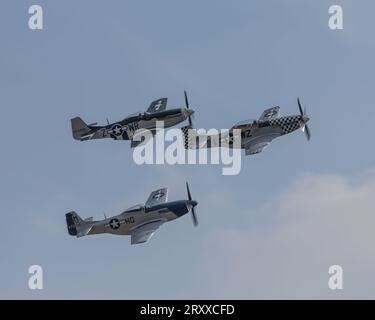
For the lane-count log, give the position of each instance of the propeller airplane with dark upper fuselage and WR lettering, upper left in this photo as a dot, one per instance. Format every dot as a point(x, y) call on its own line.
point(127, 128)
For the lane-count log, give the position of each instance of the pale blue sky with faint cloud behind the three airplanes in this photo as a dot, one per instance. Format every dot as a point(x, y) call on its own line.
point(101, 59)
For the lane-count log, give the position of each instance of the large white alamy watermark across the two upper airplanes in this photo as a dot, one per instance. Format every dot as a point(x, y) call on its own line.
point(195, 147)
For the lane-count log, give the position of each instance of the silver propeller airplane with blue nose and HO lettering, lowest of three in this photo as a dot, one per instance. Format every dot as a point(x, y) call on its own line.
point(139, 221)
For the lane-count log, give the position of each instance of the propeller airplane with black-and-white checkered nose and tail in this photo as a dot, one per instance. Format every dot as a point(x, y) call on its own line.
point(255, 134)
